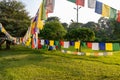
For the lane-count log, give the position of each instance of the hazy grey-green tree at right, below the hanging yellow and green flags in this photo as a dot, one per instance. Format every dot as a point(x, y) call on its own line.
point(106, 29)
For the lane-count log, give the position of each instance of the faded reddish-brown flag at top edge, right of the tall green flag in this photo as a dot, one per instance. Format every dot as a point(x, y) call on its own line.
point(50, 5)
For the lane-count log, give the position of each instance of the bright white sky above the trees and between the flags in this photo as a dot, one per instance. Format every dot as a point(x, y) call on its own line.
point(66, 12)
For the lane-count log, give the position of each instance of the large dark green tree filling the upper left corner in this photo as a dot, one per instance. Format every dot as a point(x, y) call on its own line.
point(14, 17)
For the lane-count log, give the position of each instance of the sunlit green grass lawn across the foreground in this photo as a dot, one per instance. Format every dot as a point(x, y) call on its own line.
point(21, 63)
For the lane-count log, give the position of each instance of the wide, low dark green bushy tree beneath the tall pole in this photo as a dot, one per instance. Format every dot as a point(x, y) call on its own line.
point(83, 34)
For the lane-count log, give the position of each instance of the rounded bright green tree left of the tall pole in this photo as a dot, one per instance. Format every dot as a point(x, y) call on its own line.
point(53, 30)
